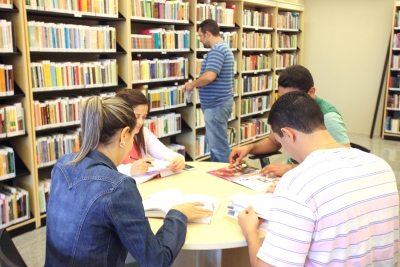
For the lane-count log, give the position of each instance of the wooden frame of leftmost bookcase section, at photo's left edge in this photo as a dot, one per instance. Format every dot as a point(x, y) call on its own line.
point(22, 144)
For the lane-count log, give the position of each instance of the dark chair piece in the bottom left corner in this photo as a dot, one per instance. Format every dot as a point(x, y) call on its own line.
point(9, 255)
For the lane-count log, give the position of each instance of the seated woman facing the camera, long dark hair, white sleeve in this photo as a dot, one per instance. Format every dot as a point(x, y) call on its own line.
point(146, 145)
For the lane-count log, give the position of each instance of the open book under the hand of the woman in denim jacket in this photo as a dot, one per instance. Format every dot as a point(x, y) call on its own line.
point(158, 204)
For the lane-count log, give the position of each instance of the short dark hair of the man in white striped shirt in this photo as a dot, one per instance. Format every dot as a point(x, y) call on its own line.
point(296, 110)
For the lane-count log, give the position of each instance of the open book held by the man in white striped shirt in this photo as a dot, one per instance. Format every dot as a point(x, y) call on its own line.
point(241, 201)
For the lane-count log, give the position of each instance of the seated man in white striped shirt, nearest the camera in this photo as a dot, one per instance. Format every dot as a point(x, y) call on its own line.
point(340, 206)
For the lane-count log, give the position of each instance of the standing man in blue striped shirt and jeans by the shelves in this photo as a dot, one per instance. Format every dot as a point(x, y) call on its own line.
point(215, 86)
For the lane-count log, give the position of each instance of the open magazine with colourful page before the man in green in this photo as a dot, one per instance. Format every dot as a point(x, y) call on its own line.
point(246, 176)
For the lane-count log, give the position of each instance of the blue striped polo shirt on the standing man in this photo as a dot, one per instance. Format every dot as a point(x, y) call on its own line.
point(219, 60)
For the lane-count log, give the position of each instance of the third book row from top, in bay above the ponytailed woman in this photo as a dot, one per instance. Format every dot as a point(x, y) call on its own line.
point(48, 75)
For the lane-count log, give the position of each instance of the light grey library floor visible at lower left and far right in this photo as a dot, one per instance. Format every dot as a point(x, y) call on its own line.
point(31, 245)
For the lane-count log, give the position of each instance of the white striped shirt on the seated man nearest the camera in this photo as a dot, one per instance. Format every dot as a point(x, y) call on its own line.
point(339, 207)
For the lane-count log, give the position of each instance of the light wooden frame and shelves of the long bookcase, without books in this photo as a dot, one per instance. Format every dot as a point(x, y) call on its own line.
point(126, 24)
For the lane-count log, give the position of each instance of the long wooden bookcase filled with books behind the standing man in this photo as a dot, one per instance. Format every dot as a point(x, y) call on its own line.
point(260, 54)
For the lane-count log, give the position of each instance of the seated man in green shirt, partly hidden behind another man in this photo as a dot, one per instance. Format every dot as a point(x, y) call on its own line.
point(294, 78)
